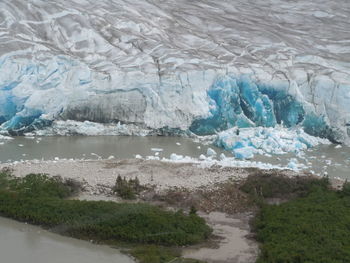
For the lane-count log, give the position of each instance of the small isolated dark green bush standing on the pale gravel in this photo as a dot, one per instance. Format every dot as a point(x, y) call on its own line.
point(127, 189)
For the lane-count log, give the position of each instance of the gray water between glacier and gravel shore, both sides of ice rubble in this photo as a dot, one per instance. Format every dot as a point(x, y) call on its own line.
point(323, 159)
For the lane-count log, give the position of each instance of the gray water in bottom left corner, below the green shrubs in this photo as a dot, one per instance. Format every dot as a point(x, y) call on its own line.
point(20, 242)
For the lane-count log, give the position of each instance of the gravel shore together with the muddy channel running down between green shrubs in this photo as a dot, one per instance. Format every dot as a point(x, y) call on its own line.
point(174, 186)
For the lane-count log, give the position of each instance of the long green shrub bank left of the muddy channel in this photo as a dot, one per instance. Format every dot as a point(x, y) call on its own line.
point(38, 199)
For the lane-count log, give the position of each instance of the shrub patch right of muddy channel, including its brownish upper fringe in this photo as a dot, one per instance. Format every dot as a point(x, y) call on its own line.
point(313, 226)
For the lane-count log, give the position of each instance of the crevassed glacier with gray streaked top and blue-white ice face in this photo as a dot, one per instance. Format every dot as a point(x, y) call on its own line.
point(200, 65)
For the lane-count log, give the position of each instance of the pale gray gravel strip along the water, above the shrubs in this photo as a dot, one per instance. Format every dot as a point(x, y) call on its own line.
point(162, 175)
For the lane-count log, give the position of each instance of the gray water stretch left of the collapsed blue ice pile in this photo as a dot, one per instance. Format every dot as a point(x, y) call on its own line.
point(92, 147)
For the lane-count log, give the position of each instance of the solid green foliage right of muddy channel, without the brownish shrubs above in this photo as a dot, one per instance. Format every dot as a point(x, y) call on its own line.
point(313, 228)
